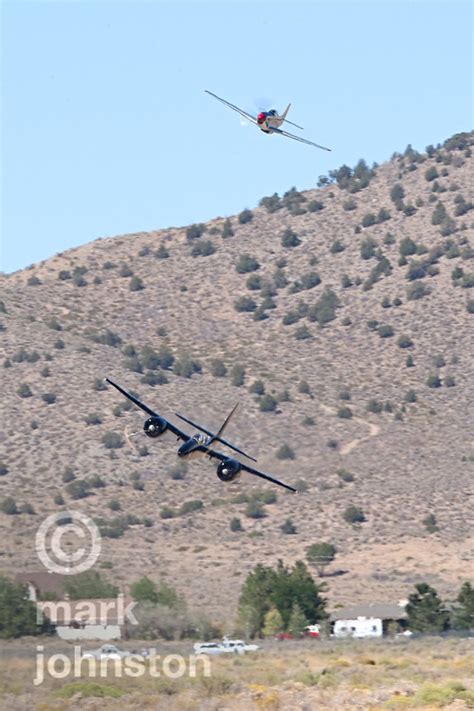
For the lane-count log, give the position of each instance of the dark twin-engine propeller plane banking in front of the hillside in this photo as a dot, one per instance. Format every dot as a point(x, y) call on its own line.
point(228, 468)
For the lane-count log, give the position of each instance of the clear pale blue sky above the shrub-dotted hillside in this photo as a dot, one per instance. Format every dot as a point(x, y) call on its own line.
point(106, 128)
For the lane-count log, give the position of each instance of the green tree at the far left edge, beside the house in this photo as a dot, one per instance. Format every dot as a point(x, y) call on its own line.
point(18, 615)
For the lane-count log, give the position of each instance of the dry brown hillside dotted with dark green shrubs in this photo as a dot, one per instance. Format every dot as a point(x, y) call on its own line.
point(348, 404)
